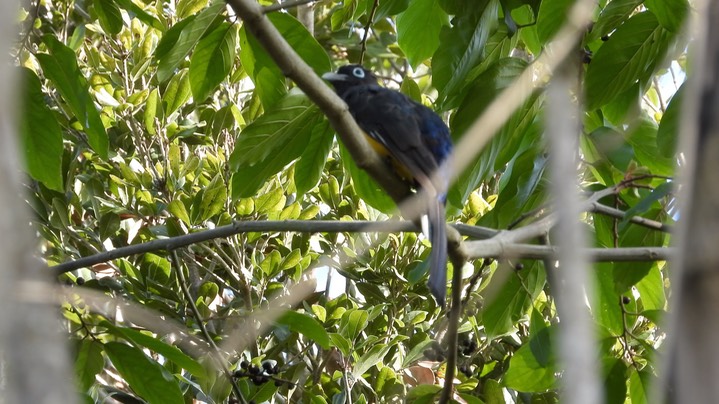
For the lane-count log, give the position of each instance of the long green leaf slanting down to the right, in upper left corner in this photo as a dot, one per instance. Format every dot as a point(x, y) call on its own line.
point(60, 67)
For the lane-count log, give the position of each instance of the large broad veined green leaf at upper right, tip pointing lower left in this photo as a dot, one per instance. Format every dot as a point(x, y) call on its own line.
point(632, 52)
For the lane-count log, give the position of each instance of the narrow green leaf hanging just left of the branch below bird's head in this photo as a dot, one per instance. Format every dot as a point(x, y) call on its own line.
point(308, 170)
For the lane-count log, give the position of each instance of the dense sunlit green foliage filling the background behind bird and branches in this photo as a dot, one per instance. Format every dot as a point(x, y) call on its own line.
point(146, 119)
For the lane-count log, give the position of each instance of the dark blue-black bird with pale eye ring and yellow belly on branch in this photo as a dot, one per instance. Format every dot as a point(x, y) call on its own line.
point(416, 141)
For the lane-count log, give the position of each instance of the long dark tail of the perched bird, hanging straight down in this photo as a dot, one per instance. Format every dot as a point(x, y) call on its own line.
point(438, 256)
